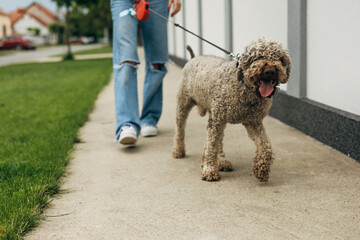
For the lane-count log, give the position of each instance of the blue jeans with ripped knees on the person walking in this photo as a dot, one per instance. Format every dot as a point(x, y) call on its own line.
point(154, 34)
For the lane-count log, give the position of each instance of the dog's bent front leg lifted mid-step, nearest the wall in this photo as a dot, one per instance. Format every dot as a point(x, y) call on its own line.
point(264, 155)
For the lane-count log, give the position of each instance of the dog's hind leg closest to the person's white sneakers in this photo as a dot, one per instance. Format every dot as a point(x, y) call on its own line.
point(184, 105)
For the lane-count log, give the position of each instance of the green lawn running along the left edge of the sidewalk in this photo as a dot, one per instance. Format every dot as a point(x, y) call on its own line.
point(42, 107)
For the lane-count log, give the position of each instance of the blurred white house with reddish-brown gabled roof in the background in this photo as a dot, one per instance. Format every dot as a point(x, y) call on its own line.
point(34, 21)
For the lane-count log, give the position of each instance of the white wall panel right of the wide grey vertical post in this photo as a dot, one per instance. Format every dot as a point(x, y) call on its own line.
point(333, 57)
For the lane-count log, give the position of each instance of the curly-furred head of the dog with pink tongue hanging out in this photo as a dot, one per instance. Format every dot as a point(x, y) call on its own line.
point(264, 65)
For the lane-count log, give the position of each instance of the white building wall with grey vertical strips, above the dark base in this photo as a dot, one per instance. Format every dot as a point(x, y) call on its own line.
point(332, 43)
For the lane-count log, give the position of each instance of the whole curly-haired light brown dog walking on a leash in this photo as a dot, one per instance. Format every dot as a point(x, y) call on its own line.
point(233, 93)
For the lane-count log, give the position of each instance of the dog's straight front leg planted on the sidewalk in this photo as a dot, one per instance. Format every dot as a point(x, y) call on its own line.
point(210, 168)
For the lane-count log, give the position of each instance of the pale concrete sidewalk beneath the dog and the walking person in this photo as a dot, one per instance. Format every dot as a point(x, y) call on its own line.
point(115, 192)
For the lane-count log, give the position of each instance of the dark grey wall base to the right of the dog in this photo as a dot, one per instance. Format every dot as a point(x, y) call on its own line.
point(338, 129)
